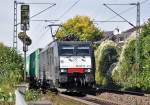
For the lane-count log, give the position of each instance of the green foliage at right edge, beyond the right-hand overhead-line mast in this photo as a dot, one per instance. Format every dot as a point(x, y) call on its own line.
point(145, 57)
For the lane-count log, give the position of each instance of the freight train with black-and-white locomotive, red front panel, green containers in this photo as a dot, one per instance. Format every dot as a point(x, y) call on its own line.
point(62, 64)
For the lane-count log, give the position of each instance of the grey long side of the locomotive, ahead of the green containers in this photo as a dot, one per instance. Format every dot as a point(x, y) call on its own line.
point(49, 64)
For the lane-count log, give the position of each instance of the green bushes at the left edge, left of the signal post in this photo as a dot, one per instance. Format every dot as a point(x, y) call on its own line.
point(10, 69)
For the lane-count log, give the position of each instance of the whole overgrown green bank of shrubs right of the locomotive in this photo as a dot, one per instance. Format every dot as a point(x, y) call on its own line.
point(127, 73)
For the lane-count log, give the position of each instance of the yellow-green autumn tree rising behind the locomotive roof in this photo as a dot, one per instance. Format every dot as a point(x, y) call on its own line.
point(79, 28)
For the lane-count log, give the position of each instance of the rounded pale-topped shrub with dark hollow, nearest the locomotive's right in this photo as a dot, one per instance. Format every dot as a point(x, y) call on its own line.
point(102, 64)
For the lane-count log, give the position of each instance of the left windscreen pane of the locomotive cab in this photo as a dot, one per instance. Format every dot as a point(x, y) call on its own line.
point(66, 50)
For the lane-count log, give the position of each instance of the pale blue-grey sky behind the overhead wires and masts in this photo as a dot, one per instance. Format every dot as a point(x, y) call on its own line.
point(40, 33)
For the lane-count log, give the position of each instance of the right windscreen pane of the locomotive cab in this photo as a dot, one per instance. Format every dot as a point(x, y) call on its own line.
point(81, 50)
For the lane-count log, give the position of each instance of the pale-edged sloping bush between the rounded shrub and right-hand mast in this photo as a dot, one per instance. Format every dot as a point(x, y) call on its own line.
point(125, 66)
